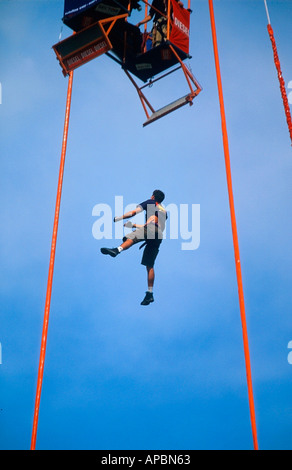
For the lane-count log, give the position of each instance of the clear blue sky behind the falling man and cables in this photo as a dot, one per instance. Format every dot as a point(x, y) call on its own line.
point(170, 376)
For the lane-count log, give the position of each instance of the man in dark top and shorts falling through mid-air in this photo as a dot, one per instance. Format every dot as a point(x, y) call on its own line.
point(151, 233)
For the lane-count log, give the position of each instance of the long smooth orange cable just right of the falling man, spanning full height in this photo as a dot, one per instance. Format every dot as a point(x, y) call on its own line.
point(234, 230)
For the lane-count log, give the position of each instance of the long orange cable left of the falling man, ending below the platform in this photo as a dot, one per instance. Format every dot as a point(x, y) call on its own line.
point(51, 267)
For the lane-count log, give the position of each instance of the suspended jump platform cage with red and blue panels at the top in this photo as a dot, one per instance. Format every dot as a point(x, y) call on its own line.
point(102, 26)
